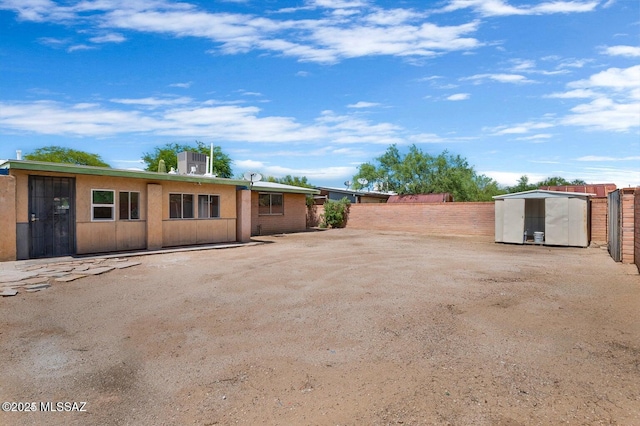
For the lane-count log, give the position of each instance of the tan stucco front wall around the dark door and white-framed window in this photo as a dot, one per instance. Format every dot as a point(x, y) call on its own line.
point(117, 235)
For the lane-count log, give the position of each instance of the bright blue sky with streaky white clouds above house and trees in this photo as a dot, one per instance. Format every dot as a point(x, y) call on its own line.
point(317, 87)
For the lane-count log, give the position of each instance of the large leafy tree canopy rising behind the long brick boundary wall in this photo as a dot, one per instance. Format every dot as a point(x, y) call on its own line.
point(420, 173)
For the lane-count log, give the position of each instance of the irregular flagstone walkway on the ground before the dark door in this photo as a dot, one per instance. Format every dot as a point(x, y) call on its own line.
point(30, 278)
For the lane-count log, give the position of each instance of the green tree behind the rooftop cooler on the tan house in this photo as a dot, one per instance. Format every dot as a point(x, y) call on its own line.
point(169, 153)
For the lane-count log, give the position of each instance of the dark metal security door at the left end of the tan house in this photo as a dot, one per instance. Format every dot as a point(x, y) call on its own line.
point(51, 216)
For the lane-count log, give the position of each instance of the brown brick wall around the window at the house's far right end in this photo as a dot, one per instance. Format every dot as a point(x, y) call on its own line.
point(293, 219)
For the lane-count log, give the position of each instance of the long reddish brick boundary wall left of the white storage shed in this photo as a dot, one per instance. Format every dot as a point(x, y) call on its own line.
point(440, 219)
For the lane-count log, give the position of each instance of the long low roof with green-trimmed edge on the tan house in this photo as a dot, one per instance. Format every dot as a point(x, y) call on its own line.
point(39, 166)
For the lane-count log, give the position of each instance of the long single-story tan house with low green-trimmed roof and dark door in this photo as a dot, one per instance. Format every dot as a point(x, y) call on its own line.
point(52, 209)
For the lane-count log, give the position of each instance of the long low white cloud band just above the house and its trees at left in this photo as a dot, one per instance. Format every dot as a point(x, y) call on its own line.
point(183, 117)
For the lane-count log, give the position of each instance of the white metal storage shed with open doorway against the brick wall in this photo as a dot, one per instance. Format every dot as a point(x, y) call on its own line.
point(543, 217)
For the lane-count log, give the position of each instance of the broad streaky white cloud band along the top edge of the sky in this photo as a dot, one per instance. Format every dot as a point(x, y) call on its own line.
point(355, 28)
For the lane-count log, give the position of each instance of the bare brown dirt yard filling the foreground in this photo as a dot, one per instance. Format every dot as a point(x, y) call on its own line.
point(339, 327)
